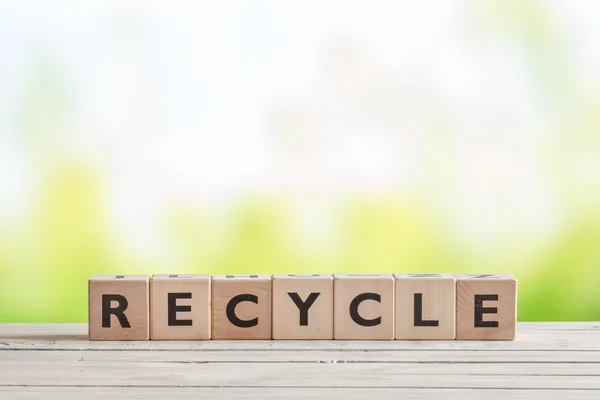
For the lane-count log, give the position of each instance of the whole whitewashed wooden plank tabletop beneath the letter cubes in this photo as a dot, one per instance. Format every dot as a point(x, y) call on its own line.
point(548, 360)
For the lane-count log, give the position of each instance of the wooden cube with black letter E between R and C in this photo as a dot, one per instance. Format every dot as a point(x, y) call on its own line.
point(180, 307)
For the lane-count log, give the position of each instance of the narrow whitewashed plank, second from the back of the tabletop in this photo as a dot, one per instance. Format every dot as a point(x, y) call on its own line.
point(316, 356)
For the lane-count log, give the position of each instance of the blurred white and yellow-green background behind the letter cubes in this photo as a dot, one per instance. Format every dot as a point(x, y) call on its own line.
point(300, 136)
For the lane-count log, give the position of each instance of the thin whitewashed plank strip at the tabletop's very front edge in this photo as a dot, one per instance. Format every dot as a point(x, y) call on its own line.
point(293, 393)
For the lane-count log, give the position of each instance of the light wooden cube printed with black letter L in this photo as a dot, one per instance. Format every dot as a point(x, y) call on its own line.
point(425, 306)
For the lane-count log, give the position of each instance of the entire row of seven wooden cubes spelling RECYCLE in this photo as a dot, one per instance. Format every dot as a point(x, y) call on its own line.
point(341, 306)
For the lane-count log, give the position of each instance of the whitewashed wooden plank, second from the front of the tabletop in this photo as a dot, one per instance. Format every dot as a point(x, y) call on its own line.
point(363, 375)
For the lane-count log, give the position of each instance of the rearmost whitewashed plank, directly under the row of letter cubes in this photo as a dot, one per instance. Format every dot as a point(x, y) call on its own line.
point(531, 336)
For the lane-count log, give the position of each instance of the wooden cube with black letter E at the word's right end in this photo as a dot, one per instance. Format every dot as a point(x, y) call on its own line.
point(486, 307)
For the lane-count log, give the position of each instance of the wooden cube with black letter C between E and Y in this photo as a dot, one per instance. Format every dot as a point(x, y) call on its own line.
point(241, 307)
